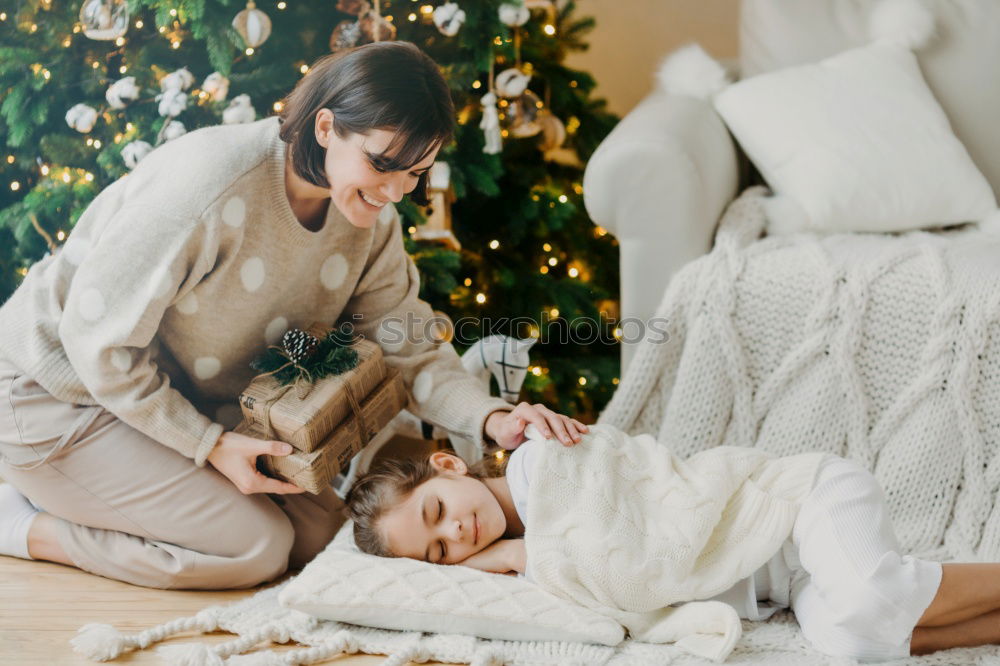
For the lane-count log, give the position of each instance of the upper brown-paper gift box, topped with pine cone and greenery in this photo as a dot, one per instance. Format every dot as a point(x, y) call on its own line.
point(305, 423)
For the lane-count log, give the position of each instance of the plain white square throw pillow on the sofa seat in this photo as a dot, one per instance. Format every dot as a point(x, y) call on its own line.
point(856, 142)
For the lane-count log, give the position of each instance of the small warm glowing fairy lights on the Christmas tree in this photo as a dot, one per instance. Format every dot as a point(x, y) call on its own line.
point(175, 34)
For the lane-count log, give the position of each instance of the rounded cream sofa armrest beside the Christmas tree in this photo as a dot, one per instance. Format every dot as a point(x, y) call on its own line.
point(659, 182)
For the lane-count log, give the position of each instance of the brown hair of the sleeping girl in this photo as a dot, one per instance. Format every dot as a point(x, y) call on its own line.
point(388, 483)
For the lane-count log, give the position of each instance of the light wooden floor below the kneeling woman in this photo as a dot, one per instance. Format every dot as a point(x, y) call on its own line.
point(42, 604)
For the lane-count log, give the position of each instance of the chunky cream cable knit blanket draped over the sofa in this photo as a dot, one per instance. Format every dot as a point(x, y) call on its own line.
point(884, 348)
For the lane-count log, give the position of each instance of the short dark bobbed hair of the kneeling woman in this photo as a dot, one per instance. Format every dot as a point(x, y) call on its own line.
point(391, 86)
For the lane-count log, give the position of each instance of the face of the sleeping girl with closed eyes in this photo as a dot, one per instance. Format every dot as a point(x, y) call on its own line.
point(445, 519)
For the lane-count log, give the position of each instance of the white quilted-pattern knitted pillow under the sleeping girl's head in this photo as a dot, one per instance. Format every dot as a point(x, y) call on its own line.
point(346, 585)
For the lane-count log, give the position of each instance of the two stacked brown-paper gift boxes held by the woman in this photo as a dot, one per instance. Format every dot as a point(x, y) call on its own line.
point(330, 424)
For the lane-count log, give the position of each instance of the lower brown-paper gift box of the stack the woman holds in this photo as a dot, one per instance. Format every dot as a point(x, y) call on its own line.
point(315, 470)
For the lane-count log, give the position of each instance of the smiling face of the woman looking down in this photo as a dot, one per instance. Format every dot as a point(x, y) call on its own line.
point(356, 188)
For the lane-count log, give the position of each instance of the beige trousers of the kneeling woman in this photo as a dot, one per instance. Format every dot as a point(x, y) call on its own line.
point(134, 510)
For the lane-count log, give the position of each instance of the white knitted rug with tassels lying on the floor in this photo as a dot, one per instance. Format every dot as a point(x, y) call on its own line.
point(259, 619)
